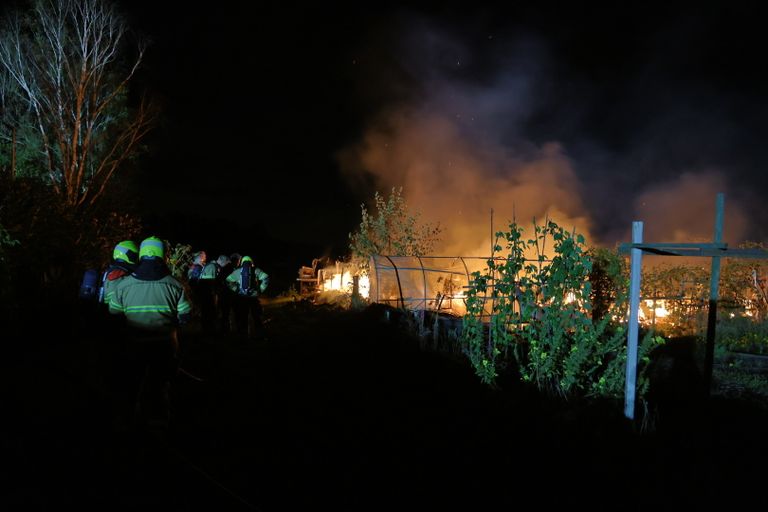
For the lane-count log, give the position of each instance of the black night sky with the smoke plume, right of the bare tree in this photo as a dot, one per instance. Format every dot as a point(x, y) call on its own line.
point(283, 118)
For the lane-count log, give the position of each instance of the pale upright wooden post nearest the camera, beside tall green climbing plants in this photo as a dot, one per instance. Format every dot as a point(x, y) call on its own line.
point(636, 256)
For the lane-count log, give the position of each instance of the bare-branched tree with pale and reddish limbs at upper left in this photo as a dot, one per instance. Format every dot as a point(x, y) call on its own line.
point(67, 73)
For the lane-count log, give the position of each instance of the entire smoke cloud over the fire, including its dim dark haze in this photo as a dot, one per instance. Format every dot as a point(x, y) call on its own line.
point(459, 145)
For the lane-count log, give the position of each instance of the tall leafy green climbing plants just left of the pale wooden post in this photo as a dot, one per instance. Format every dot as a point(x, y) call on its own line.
point(540, 311)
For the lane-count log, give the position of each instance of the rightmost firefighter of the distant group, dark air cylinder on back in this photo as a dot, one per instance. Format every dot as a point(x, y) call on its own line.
point(247, 282)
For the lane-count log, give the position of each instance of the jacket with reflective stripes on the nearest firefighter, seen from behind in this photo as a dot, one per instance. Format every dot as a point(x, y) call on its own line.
point(151, 299)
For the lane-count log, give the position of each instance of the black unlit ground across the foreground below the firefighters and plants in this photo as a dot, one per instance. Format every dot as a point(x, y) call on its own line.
point(344, 410)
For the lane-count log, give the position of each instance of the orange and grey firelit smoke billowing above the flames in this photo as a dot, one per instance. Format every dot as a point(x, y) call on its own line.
point(458, 148)
